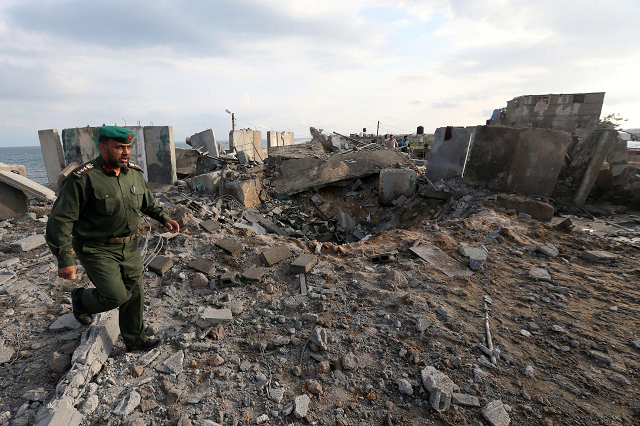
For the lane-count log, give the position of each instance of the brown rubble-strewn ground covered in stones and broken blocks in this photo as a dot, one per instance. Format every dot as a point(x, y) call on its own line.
point(371, 343)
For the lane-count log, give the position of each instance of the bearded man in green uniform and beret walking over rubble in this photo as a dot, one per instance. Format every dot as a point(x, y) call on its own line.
point(96, 214)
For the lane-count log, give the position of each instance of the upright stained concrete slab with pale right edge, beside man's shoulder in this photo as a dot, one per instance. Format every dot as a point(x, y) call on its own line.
point(160, 154)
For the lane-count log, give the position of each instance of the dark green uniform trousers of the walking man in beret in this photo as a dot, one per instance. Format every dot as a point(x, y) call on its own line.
point(116, 272)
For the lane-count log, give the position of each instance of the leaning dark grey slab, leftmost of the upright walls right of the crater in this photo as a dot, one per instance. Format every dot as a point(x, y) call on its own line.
point(448, 157)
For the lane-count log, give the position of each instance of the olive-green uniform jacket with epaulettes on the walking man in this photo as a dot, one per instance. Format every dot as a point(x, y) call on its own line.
point(94, 203)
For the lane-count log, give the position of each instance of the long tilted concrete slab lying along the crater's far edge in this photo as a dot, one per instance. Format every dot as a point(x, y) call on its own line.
point(299, 175)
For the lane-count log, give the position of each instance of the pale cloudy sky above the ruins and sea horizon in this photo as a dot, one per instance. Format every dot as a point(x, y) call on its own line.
point(290, 64)
